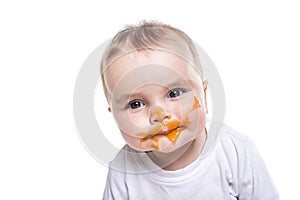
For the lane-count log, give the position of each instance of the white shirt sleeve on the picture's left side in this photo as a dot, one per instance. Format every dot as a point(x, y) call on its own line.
point(115, 188)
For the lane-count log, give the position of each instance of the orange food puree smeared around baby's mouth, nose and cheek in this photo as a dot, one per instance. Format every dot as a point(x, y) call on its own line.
point(174, 128)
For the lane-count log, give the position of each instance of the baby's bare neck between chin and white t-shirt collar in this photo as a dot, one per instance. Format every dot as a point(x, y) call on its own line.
point(182, 157)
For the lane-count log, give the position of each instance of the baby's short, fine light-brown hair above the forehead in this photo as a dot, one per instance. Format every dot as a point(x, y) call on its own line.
point(148, 36)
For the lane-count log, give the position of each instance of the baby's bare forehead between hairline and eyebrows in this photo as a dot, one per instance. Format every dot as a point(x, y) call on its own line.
point(135, 70)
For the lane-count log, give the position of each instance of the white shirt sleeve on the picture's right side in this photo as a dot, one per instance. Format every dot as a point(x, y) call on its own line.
point(255, 182)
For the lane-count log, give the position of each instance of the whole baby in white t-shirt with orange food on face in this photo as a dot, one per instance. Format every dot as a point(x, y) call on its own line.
point(156, 90)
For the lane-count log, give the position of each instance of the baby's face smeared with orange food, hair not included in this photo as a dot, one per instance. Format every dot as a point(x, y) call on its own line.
point(157, 99)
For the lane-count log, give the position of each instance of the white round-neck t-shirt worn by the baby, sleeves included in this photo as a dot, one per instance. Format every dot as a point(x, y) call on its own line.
point(229, 167)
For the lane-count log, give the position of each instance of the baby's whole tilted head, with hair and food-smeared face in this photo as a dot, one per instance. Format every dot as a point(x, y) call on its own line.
point(153, 82)
